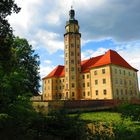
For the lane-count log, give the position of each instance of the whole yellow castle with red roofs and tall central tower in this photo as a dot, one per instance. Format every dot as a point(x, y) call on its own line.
point(107, 76)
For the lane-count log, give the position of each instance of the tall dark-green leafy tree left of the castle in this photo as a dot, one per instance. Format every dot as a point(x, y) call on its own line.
point(18, 63)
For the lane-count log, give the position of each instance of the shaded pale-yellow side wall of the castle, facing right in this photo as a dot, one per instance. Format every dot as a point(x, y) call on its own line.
point(125, 83)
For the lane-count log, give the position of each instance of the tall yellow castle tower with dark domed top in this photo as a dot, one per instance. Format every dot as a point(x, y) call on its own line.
point(72, 39)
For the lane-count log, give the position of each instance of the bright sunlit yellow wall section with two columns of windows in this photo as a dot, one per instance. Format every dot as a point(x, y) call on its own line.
point(101, 87)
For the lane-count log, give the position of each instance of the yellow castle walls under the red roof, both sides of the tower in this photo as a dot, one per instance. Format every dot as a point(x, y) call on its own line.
point(106, 82)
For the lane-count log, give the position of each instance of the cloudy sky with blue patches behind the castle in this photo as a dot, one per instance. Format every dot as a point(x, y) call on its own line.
point(104, 24)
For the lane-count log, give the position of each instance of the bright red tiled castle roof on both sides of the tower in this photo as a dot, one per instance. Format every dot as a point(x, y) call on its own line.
point(110, 57)
